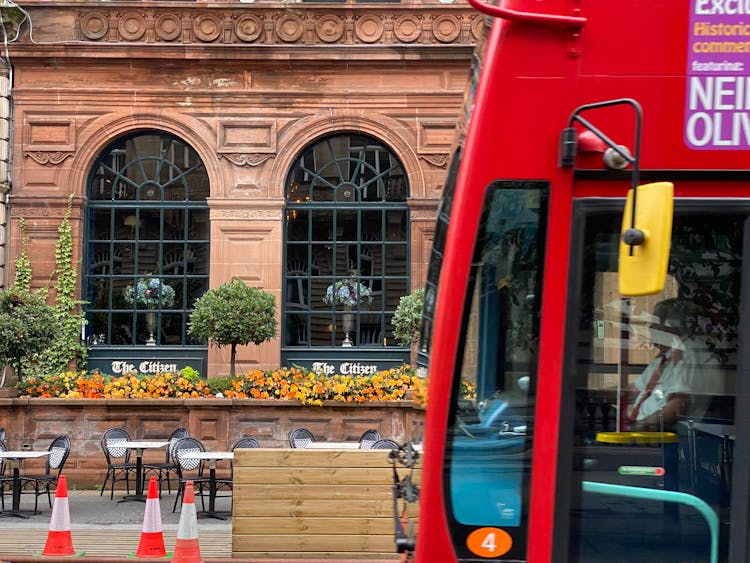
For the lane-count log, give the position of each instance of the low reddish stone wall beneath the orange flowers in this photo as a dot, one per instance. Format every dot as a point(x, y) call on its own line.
point(218, 423)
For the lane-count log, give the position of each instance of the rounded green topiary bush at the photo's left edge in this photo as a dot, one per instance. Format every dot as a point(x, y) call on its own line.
point(27, 327)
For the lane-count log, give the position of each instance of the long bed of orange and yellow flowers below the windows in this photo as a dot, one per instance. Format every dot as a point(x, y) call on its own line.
point(307, 387)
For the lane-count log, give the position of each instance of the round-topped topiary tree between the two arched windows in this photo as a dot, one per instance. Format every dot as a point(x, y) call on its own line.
point(234, 314)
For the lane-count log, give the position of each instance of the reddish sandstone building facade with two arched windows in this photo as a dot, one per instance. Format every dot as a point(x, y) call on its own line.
point(298, 146)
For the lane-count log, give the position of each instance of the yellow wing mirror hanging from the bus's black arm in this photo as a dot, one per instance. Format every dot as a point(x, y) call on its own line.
point(643, 267)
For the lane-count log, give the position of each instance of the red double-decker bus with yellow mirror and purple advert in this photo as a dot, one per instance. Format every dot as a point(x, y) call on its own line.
point(577, 410)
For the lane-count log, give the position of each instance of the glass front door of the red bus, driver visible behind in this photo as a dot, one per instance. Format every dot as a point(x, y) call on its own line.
point(652, 459)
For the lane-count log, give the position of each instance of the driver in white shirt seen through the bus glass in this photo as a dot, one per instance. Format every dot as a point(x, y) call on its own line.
point(664, 385)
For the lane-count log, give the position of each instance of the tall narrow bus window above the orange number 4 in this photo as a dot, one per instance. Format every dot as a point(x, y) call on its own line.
point(489, 451)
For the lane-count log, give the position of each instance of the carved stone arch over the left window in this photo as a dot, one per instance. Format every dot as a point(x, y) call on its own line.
point(105, 130)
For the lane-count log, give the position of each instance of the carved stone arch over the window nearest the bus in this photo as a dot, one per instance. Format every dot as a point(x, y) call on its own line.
point(391, 132)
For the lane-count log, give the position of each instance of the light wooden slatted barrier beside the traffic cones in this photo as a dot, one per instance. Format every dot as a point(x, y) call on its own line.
point(314, 503)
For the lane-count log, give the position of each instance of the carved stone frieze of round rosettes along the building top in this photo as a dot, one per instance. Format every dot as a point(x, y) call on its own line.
point(454, 24)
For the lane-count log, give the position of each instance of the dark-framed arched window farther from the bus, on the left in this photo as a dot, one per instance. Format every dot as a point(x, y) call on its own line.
point(147, 241)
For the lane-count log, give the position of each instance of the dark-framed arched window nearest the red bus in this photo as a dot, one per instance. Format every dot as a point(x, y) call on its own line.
point(347, 230)
